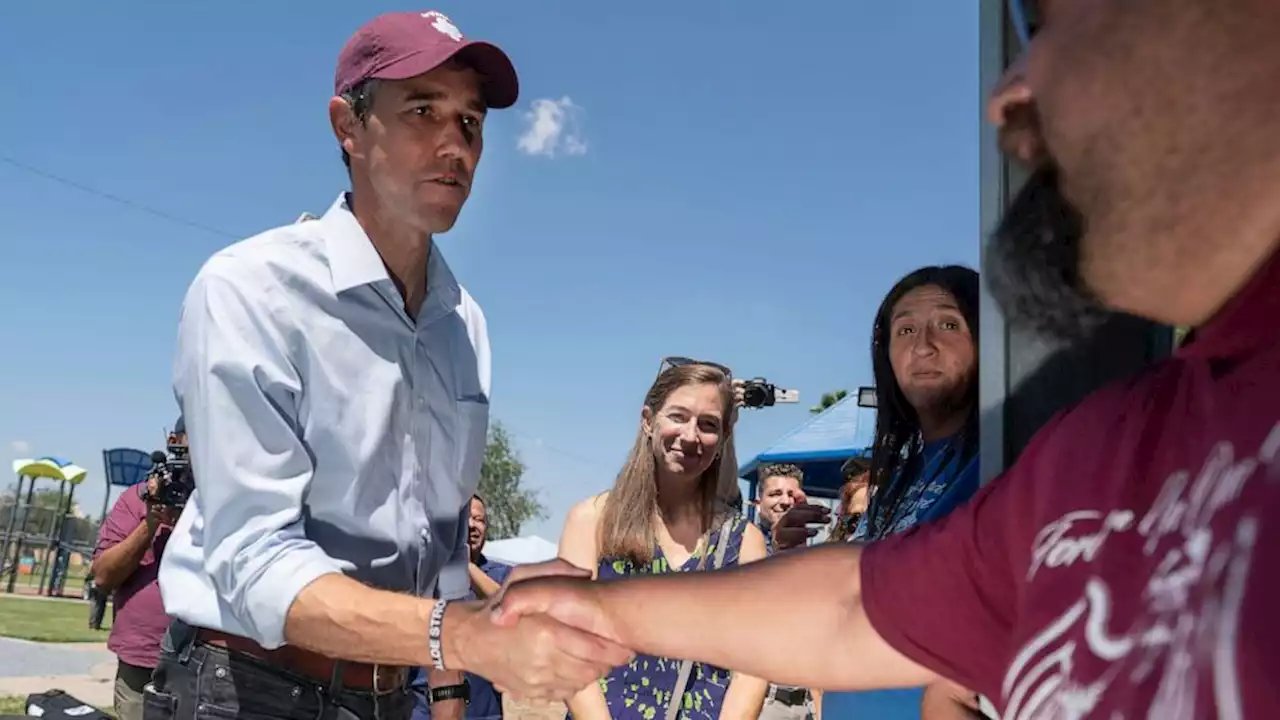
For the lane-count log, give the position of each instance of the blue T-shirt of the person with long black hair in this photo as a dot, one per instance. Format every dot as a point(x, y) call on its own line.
point(943, 482)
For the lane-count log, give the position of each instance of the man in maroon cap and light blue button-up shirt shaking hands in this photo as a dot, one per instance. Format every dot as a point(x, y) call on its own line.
point(335, 380)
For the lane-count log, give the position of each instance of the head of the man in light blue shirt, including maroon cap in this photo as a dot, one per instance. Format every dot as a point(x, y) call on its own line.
point(409, 110)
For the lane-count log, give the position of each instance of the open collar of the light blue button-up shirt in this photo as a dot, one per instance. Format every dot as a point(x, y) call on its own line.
point(354, 262)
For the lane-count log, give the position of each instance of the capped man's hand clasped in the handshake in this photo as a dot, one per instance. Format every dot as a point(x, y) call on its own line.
point(533, 658)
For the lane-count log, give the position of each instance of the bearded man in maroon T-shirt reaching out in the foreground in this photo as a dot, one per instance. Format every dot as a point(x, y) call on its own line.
point(1126, 566)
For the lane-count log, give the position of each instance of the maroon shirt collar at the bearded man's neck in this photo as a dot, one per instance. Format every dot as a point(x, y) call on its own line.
point(1246, 322)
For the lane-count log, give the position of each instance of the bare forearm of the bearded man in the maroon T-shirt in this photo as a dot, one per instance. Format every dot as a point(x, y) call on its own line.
point(706, 617)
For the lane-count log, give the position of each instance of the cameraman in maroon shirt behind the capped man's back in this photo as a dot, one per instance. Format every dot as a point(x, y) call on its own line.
point(127, 562)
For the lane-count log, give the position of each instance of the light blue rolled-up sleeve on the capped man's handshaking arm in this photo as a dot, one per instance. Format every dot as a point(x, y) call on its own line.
point(239, 393)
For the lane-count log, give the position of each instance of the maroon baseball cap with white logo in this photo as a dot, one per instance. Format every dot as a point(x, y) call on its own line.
point(404, 45)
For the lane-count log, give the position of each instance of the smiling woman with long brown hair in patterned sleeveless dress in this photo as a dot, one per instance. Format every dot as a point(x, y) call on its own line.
point(666, 514)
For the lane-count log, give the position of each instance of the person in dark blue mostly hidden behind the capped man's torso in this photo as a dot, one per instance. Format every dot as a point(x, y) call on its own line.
point(487, 580)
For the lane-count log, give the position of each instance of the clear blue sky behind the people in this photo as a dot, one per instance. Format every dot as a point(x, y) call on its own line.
point(735, 181)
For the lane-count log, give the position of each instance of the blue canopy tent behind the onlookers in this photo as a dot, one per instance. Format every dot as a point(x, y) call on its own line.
point(820, 446)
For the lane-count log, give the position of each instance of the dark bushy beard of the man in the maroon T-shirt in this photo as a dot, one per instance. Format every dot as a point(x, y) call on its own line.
point(1034, 266)
